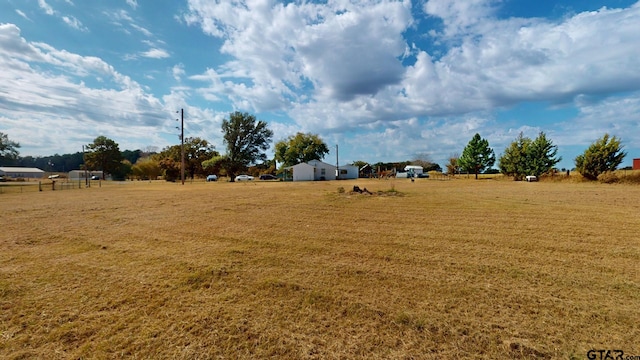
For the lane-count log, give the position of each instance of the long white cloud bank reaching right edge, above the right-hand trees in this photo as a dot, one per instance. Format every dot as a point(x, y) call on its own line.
point(516, 60)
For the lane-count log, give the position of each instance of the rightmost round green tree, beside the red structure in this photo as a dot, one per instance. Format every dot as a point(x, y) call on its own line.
point(604, 155)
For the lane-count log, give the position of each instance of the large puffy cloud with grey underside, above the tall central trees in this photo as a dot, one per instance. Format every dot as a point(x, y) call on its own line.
point(337, 51)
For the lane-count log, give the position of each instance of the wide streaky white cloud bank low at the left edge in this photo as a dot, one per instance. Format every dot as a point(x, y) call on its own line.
point(56, 101)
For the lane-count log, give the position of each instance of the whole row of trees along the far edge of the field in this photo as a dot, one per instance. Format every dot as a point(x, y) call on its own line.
point(246, 139)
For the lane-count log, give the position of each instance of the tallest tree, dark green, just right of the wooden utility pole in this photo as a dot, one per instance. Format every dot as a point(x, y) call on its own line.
point(246, 140)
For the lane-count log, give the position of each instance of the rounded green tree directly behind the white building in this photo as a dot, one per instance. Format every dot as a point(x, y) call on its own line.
point(300, 148)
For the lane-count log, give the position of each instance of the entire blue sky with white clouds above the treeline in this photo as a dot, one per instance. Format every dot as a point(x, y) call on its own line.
point(377, 80)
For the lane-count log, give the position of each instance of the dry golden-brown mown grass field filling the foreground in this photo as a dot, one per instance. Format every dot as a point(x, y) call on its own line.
point(427, 270)
